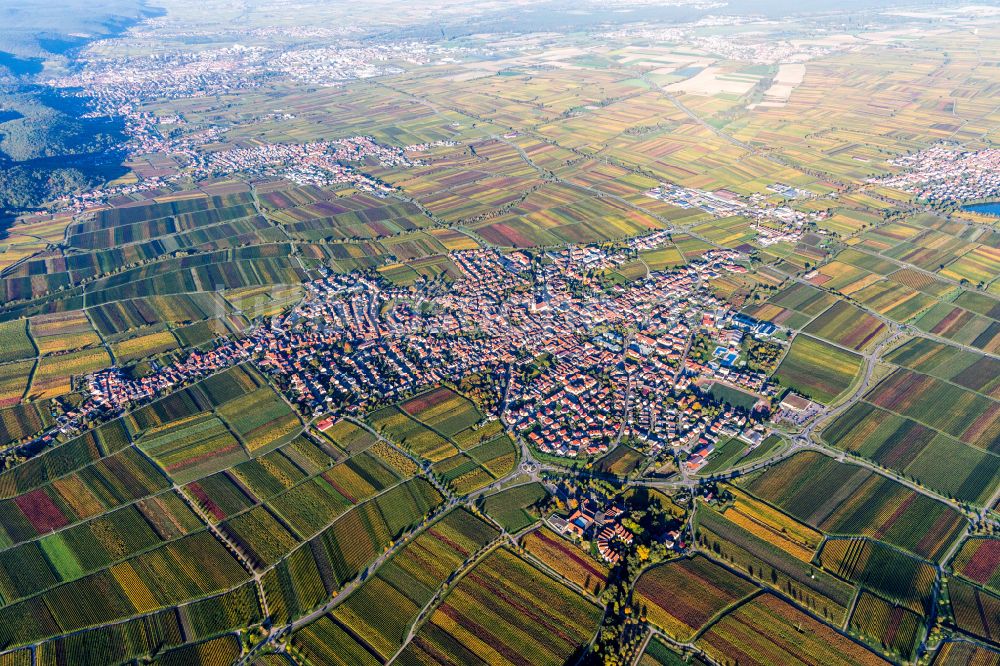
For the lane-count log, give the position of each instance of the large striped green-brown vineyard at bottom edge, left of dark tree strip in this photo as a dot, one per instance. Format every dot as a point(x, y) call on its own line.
point(494, 613)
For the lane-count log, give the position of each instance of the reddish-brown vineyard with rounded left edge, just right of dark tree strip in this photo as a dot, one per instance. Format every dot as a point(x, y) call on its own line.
point(682, 596)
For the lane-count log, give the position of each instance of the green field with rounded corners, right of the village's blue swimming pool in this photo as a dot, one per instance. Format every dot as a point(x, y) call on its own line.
point(818, 370)
